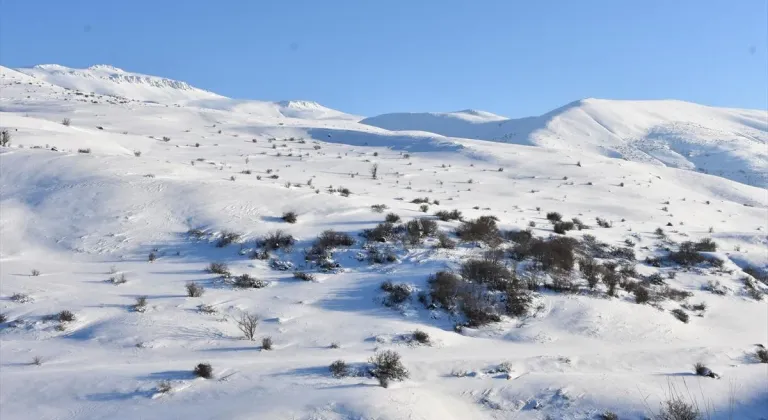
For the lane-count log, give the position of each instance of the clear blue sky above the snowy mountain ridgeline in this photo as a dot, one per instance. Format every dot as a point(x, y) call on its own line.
point(515, 58)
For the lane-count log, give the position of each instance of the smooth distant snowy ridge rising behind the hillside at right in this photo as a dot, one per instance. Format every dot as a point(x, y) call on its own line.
point(726, 142)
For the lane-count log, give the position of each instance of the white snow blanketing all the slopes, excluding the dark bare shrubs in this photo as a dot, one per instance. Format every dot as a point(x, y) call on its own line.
point(74, 216)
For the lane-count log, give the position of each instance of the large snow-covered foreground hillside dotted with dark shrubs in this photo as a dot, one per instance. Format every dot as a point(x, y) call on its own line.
point(97, 189)
